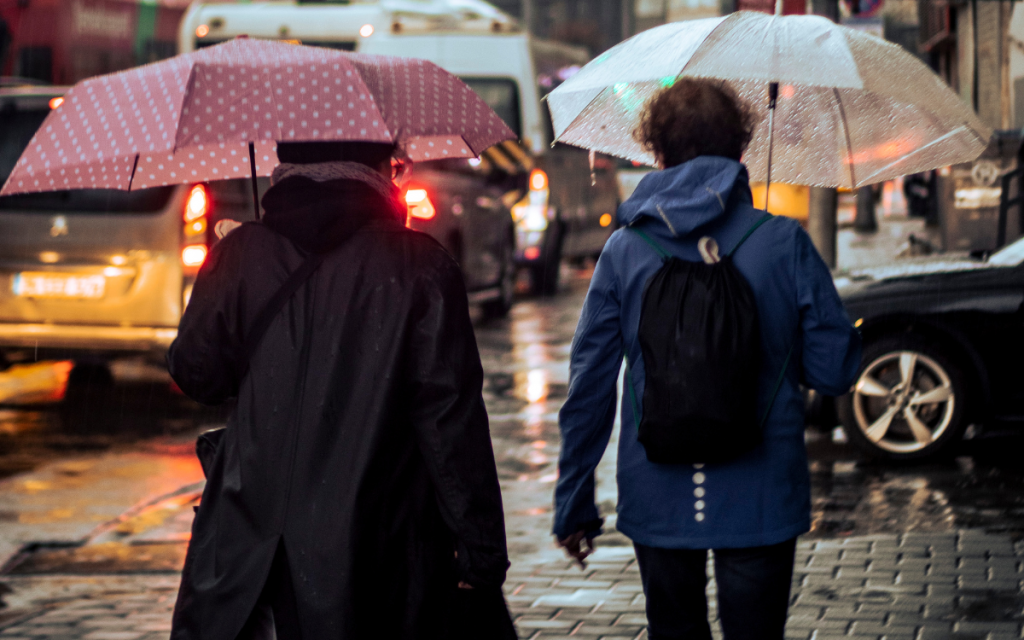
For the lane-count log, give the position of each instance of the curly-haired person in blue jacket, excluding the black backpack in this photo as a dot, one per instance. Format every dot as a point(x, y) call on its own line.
point(751, 510)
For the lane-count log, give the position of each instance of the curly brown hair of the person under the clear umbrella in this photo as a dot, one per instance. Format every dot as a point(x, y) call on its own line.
point(695, 117)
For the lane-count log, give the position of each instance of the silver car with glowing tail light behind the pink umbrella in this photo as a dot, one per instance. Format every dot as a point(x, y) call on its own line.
point(92, 276)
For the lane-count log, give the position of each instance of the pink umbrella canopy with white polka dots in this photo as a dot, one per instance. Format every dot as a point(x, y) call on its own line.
point(194, 117)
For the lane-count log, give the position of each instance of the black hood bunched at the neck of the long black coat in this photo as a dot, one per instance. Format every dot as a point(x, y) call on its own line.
point(319, 217)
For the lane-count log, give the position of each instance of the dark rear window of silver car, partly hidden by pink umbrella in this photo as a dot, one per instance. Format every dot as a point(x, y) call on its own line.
point(17, 130)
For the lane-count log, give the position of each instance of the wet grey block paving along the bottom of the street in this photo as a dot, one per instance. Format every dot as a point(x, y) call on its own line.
point(955, 586)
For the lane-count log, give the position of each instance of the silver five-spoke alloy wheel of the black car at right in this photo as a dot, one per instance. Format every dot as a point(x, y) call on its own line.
point(905, 403)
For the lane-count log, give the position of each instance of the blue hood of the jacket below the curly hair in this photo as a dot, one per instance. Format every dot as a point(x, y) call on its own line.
point(690, 196)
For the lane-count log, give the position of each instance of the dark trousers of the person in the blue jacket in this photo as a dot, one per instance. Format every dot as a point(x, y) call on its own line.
point(753, 591)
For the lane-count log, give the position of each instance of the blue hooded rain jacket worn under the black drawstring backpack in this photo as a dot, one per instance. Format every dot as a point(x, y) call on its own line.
point(764, 497)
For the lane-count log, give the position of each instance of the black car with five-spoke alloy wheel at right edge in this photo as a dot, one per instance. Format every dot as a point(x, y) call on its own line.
point(944, 350)
